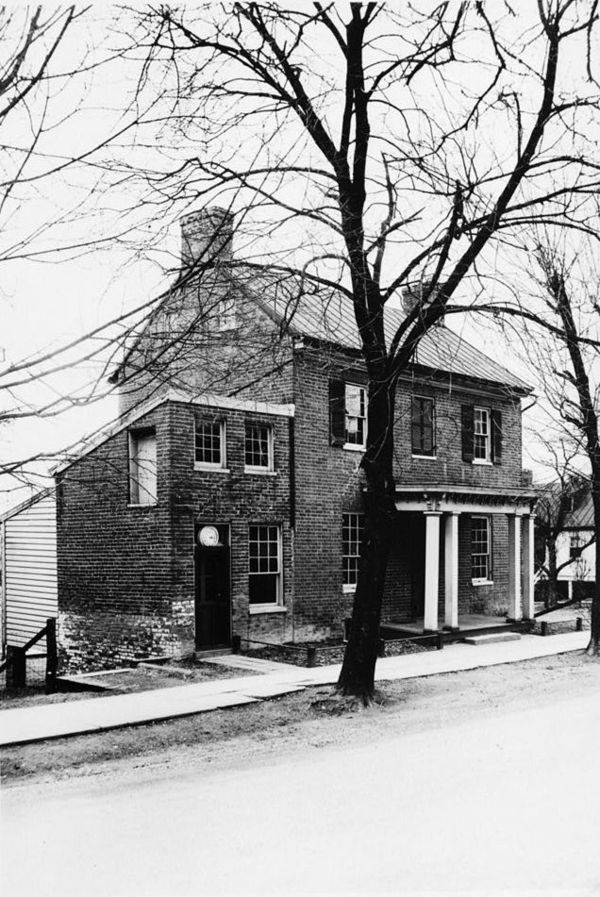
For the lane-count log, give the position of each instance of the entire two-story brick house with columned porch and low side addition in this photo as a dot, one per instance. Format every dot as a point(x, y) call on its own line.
point(227, 499)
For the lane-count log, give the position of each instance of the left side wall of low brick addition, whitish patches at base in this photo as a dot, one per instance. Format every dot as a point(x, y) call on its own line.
point(115, 594)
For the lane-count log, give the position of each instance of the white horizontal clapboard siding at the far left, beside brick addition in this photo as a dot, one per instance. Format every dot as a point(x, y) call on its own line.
point(30, 571)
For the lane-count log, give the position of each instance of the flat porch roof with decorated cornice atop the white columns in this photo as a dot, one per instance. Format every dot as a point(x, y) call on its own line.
point(462, 498)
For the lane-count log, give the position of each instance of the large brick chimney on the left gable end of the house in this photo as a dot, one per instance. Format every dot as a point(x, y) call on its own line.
point(206, 236)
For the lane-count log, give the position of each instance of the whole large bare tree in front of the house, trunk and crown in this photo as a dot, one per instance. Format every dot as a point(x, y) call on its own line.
point(405, 148)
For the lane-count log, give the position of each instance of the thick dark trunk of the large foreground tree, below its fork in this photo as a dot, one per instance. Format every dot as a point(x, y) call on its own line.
point(357, 677)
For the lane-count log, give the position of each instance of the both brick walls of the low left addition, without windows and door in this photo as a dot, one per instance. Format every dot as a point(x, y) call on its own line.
point(126, 574)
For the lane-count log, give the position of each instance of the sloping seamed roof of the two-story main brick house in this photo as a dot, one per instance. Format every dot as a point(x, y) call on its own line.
point(326, 315)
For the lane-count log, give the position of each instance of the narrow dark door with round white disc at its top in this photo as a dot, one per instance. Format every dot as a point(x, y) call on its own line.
point(213, 596)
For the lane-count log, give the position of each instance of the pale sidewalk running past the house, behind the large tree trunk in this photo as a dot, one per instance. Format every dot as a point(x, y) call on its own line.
point(77, 717)
